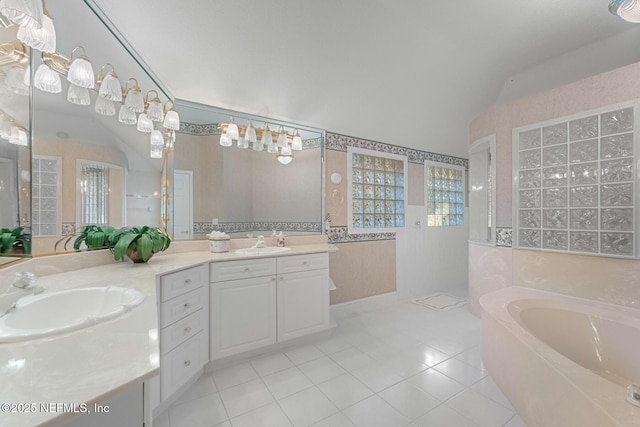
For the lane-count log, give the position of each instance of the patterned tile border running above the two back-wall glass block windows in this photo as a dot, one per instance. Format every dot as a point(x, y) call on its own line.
point(337, 142)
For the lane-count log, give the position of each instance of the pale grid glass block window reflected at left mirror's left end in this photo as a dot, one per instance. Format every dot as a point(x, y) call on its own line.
point(45, 176)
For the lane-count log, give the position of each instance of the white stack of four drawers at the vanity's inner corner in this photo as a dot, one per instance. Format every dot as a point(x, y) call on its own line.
point(183, 326)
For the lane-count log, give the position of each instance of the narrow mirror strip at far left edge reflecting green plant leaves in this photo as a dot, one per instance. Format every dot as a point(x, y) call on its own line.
point(15, 155)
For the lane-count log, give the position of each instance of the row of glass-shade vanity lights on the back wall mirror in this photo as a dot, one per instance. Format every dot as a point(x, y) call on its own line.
point(280, 143)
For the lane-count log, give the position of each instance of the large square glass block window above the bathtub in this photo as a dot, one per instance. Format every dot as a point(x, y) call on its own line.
point(575, 187)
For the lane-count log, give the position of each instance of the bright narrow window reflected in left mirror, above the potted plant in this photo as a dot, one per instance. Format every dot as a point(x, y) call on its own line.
point(94, 193)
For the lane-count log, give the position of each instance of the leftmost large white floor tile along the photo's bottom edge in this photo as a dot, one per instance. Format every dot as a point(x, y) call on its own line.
point(202, 412)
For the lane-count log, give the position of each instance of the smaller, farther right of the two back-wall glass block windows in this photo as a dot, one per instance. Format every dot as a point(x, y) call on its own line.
point(444, 194)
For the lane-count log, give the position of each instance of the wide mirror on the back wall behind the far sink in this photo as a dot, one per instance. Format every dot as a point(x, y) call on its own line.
point(223, 183)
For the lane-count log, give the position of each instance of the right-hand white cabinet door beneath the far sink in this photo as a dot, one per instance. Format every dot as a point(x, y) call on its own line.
point(303, 303)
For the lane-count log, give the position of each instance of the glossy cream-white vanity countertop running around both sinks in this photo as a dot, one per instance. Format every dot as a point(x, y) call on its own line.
point(91, 364)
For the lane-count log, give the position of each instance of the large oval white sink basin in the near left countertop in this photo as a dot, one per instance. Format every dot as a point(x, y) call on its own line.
point(52, 313)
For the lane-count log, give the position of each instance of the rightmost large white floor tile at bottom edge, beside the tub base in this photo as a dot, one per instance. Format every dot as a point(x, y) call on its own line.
point(480, 409)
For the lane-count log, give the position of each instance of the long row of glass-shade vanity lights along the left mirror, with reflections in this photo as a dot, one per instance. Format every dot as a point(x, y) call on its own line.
point(37, 31)
